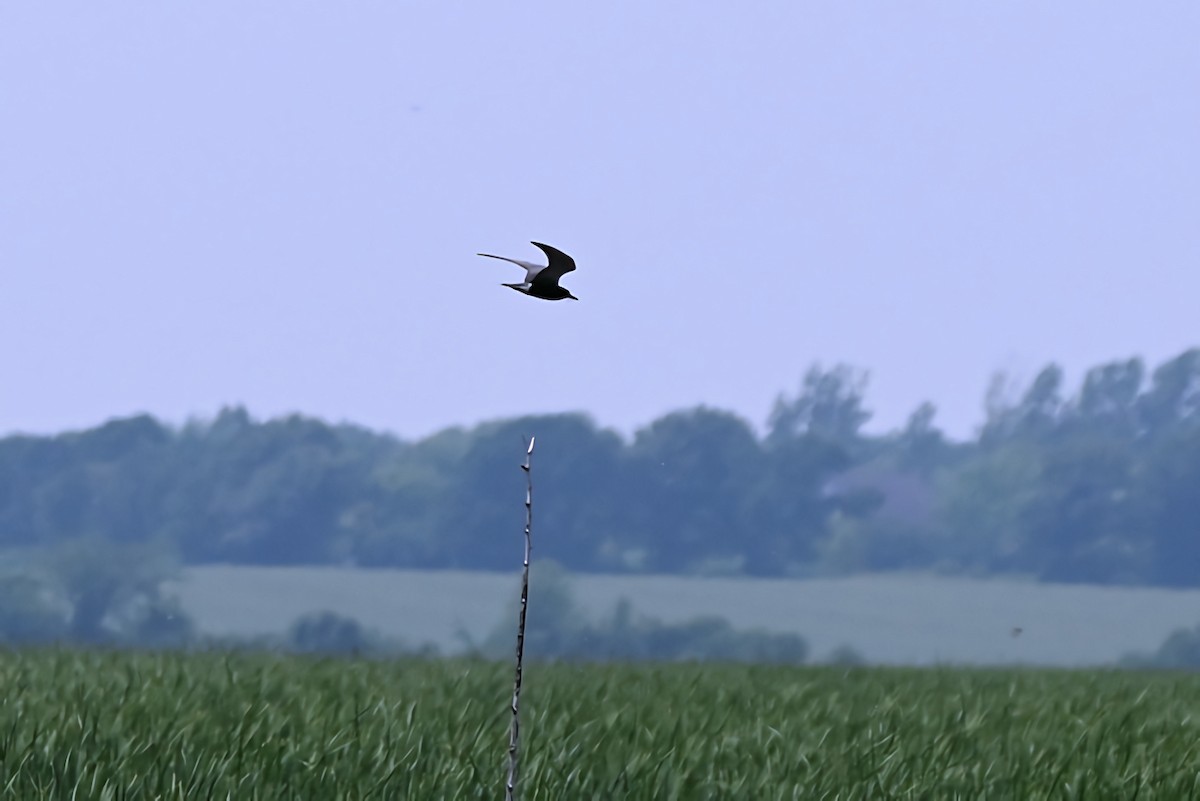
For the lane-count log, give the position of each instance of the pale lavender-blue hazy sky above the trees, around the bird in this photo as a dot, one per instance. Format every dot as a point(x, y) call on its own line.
point(279, 204)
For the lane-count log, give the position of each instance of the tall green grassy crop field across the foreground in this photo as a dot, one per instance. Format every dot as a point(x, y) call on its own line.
point(161, 726)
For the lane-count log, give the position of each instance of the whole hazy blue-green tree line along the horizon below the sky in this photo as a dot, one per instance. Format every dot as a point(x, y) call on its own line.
point(1101, 485)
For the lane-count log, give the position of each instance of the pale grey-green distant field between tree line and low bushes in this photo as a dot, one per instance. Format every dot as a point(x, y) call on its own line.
point(889, 618)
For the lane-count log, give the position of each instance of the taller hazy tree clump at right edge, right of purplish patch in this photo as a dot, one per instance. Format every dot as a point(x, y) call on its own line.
point(1100, 487)
